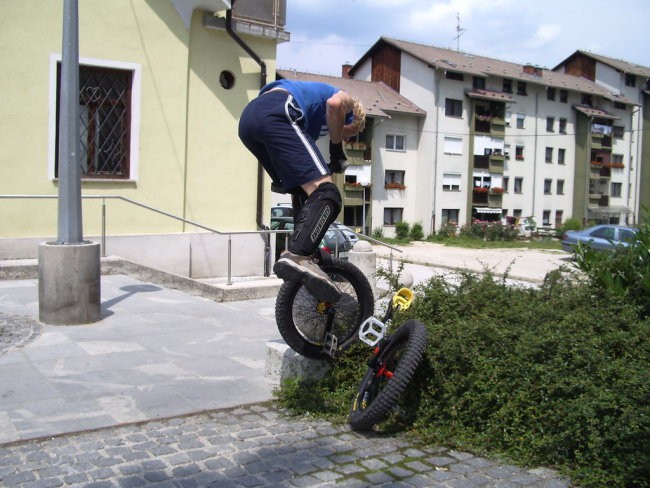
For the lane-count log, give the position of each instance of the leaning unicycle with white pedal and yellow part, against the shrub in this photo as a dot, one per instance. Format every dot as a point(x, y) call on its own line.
point(393, 363)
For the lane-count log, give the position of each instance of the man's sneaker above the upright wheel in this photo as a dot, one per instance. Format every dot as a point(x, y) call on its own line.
point(303, 268)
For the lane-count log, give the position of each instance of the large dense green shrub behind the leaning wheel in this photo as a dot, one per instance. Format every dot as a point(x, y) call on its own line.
point(545, 376)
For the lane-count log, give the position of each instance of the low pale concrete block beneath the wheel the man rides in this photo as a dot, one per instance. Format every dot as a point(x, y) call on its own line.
point(282, 363)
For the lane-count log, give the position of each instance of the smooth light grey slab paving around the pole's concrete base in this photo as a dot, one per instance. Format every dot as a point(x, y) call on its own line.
point(156, 353)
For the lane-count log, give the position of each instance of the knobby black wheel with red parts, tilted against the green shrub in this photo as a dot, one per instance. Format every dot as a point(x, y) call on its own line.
point(389, 374)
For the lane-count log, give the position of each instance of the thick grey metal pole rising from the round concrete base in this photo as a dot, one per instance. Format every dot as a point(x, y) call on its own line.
point(69, 223)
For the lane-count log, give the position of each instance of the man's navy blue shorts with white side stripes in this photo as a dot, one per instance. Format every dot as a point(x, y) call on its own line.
point(271, 128)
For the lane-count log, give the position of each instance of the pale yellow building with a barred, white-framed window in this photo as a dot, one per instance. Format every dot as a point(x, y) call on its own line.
point(162, 84)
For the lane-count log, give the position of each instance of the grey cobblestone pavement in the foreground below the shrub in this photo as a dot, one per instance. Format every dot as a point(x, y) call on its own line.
point(250, 446)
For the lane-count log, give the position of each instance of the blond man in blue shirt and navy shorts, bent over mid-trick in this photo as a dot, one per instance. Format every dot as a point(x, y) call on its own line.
point(280, 127)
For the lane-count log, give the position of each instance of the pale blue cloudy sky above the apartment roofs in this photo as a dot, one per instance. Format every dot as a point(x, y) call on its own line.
point(327, 34)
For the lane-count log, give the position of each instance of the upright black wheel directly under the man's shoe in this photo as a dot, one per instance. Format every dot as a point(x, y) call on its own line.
point(302, 319)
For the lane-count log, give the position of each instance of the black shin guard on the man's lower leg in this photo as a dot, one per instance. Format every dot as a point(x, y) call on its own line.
point(315, 217)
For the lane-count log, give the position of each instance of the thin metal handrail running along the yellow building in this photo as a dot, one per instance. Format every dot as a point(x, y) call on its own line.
point(181, 219)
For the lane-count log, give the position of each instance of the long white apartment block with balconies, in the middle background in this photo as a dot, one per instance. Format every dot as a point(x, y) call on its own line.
point(502, 139)
